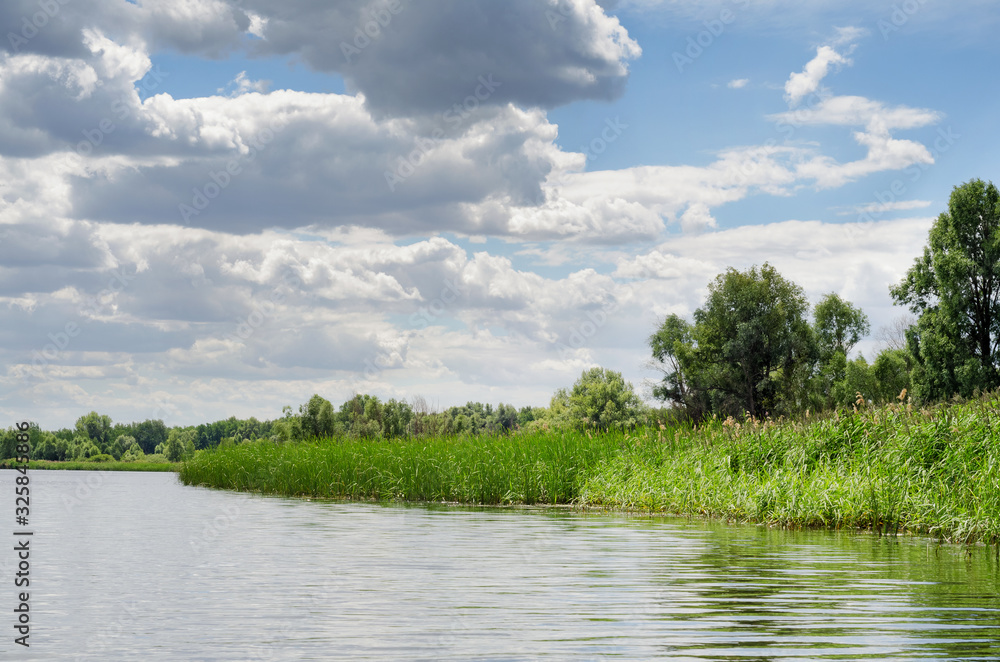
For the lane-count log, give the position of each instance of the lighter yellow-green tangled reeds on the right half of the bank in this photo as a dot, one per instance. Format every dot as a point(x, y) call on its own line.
point(934, 471)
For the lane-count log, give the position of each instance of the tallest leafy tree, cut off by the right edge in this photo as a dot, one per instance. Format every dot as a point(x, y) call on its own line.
point(954, 288)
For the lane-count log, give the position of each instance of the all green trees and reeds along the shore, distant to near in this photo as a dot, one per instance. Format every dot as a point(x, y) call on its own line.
point(767, 418)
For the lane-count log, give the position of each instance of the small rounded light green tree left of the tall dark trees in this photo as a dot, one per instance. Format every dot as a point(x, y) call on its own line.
point(604, 400)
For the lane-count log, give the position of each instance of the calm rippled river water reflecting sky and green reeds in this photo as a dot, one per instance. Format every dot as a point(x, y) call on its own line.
point(139, 567)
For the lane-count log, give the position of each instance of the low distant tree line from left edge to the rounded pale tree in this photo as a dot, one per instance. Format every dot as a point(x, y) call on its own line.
point(599, 399)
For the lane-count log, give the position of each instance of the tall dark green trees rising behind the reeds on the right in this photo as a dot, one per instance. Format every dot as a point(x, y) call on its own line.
point(751, 349)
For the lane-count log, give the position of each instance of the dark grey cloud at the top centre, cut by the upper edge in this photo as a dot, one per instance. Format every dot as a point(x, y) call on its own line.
point(410, 57)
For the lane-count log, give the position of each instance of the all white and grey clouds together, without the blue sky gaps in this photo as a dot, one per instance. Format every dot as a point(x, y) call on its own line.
point(267, 245)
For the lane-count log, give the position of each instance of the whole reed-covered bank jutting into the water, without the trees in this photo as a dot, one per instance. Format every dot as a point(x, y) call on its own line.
point(893, 469)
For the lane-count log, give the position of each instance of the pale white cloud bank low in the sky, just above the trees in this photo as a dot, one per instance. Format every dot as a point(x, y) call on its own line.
point(195, 310)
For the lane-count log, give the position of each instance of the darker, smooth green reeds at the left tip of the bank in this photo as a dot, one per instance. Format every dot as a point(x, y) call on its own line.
point(519, 468)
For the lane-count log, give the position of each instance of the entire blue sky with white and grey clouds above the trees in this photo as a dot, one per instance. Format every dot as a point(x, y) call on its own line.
point(214, 208)
